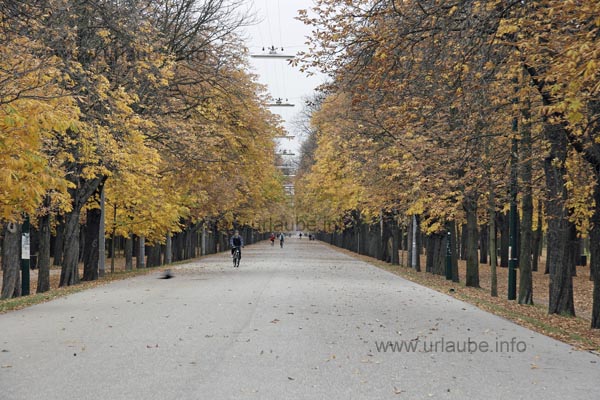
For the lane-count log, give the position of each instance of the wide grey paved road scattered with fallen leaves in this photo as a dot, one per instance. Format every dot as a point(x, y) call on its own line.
point(303, 322)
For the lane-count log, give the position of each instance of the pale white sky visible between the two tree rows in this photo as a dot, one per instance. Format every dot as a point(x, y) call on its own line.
point(278, 27)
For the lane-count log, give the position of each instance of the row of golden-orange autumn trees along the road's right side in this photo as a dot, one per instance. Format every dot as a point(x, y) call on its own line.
point(453, 111)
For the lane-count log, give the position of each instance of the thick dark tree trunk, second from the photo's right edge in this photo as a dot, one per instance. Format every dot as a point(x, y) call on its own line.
point(561, 280)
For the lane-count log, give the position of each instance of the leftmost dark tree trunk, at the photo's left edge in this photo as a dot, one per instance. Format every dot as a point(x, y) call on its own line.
point(11, 261)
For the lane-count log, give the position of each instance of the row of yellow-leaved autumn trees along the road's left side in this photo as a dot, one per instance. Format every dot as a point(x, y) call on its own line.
point(147, 106)
